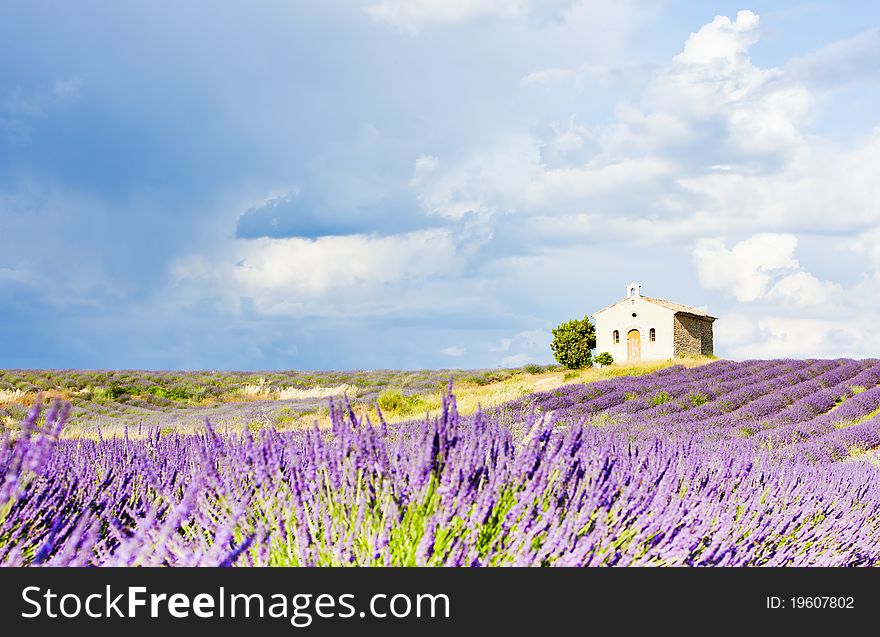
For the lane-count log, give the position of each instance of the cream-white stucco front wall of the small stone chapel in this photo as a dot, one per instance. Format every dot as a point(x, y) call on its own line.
point(620, 317)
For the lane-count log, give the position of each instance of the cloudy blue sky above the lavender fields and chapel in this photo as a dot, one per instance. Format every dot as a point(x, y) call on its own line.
point(359, 184)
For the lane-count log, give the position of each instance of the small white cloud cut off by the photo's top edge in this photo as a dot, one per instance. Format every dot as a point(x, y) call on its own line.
point(411, 15)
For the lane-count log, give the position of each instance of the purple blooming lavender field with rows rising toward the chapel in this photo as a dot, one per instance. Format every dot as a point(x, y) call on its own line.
point(732, 463)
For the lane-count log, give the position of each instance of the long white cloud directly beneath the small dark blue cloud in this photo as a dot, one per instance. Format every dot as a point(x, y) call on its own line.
point(297, 276)
